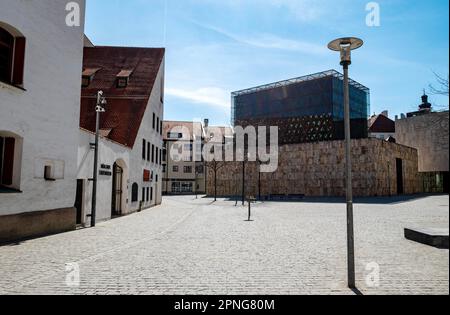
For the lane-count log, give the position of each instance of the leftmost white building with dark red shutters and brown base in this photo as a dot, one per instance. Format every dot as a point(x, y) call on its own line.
point(40, 61)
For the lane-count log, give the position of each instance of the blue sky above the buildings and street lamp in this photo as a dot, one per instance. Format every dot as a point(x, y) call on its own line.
point(215, 47)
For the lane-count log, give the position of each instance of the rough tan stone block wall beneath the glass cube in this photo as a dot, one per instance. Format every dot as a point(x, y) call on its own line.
point(318, 169)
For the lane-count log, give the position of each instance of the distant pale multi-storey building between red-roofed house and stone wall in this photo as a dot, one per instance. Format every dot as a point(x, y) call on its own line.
point(184, 169)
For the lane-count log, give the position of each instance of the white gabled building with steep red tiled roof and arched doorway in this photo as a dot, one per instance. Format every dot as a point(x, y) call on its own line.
point(131, 144)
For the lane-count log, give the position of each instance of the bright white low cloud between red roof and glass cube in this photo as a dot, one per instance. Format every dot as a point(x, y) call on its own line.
point(213, 96)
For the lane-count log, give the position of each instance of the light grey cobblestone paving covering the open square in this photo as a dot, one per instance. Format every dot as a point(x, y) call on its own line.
point(189, 246)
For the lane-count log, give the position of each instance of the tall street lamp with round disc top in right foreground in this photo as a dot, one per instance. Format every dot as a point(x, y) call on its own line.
point(345, 46)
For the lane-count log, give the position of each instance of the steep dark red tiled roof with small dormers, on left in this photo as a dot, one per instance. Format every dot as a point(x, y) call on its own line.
point(126, 106)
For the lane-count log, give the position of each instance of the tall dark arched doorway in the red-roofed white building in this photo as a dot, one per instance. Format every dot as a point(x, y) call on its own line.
point(118, 187)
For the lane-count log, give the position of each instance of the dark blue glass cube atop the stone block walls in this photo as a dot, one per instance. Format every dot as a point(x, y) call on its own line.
point(306, 109)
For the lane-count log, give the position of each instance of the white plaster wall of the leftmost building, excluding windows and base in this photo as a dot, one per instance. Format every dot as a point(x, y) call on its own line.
point(46, 114)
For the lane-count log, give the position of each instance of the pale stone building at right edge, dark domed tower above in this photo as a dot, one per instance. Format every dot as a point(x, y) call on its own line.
point(428, 132)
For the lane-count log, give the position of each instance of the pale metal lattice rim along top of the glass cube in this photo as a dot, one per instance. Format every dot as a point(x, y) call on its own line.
point(324, 74)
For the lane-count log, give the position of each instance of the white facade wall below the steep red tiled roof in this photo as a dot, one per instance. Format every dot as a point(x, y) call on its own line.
point(110, 152)
